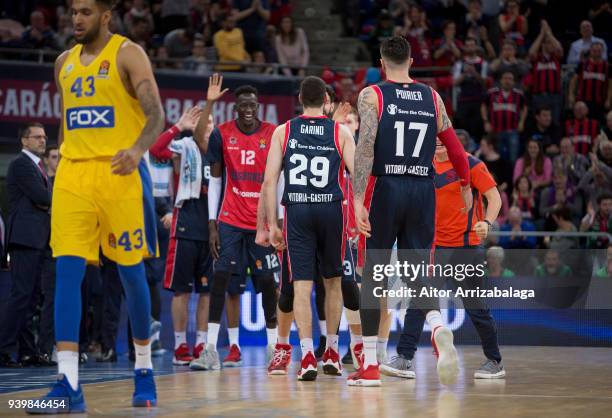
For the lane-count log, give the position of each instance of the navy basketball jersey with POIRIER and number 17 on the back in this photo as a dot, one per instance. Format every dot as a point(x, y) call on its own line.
point(407, 130)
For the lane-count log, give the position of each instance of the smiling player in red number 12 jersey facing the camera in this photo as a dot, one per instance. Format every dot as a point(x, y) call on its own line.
point(240, 148)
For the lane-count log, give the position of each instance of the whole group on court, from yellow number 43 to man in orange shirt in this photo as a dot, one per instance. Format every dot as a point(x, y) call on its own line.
point(299, 199)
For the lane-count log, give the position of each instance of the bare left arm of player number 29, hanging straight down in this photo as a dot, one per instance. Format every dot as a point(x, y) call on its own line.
point(273, 170)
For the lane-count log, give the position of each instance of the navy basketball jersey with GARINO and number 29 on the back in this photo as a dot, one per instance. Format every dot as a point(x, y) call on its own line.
point(312, 161)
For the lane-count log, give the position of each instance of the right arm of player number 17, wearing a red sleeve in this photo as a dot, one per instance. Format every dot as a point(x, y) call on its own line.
point(456, 153)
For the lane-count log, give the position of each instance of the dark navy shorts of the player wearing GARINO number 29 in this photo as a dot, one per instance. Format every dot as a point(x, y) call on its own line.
point(315, 233)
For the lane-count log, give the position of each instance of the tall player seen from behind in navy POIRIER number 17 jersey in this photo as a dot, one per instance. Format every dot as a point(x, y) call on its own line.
point(395, 195)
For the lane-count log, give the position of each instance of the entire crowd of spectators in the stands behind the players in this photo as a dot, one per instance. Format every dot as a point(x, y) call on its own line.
point(527, 81)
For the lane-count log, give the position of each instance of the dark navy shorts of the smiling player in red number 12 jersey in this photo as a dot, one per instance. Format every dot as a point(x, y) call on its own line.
point(234, 243)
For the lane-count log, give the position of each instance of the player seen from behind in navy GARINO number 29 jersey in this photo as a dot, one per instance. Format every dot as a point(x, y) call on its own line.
point(312, 151)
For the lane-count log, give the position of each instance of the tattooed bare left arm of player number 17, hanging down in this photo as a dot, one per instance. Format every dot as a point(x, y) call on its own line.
point(364, 152)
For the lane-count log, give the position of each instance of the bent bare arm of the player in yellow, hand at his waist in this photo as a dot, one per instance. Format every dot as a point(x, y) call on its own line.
point(134, 63)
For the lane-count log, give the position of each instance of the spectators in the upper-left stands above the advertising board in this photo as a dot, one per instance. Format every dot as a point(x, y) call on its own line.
point(179, 34)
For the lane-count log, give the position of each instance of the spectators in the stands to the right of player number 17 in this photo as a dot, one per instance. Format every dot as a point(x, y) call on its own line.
point(528, 85)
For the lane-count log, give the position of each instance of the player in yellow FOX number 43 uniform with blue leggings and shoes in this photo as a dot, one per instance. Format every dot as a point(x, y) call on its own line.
point(111, 114)
